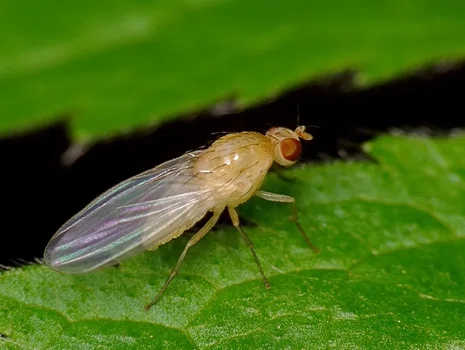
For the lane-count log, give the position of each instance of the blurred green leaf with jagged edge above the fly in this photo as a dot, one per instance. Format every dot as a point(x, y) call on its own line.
point(121, 64)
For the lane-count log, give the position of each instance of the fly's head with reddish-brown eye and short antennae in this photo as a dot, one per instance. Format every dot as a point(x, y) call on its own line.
point(286, 144)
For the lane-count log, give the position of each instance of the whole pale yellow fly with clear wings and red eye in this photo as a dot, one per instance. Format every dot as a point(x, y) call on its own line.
point(156, 206)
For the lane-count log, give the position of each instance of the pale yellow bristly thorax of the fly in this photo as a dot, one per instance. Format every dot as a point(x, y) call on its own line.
point(236, 164)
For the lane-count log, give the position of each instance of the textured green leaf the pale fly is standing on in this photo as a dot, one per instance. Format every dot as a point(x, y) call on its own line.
point(390, 274)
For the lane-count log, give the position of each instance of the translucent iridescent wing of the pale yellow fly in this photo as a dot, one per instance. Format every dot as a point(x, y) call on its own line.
point(140, 212)
